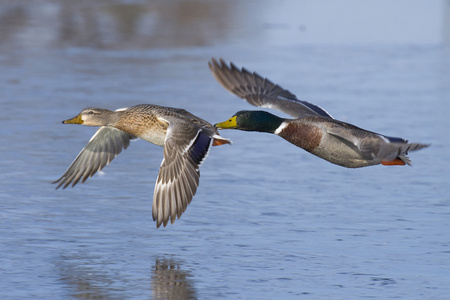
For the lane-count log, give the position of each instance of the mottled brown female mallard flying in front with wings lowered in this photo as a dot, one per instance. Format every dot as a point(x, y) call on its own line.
point(186, 140)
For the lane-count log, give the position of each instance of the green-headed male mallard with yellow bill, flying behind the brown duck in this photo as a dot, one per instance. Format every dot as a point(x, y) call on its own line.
point(313, 129)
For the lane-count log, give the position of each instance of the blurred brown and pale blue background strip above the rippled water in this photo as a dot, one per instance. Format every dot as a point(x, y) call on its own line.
point(158, 24)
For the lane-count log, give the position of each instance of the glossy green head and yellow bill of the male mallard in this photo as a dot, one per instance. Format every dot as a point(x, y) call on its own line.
point(252, 120)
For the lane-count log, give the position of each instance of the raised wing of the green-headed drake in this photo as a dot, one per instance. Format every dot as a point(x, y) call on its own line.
point(259, 91)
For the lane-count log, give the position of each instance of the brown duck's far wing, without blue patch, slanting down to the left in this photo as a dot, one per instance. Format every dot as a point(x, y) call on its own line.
point(101, 149)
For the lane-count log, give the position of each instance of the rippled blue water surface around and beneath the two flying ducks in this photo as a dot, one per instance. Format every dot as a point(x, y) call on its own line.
point(269, 220)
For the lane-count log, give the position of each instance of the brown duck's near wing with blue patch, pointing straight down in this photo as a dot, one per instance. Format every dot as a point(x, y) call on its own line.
point(185, 147)
